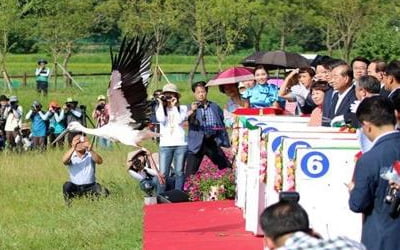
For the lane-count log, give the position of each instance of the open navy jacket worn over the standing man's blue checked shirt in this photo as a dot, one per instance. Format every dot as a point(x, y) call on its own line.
point(196, 130)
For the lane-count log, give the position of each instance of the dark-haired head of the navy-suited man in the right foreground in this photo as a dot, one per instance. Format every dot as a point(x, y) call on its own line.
point(377, 110)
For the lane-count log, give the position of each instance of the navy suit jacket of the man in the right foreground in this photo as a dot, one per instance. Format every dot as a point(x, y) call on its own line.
point(380, 231)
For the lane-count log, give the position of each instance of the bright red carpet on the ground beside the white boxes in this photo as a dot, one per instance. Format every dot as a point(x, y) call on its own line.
point(197, 225)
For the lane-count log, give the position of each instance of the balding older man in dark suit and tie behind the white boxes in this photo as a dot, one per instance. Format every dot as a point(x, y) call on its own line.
point(337, 108)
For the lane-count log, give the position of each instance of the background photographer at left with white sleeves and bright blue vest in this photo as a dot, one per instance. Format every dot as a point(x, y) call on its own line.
point(38, 125)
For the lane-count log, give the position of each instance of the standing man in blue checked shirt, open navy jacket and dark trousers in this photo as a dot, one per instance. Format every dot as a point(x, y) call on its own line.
point(207, 133)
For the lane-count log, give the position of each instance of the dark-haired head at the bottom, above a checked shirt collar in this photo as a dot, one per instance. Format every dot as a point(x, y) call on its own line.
point(282, 218)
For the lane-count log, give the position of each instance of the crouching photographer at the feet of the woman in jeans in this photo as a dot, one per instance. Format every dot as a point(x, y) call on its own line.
point(141, 167)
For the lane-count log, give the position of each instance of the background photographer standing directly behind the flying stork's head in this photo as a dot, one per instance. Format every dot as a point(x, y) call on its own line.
point(73, 113)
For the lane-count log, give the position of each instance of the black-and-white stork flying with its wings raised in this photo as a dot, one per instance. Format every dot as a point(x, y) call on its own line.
point(127, 92)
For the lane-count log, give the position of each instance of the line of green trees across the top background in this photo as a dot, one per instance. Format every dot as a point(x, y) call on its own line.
point(367, 28)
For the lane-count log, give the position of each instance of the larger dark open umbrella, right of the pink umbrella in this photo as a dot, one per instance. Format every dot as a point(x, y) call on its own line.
point(282, 60)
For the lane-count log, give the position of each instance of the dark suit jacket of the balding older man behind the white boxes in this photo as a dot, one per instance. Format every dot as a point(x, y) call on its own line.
point(343, 109)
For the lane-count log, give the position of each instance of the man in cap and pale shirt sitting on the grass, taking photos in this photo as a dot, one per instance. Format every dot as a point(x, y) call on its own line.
point(81, 161)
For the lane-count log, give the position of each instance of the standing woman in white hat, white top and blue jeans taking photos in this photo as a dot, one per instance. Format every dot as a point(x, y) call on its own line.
point(173, 144)
